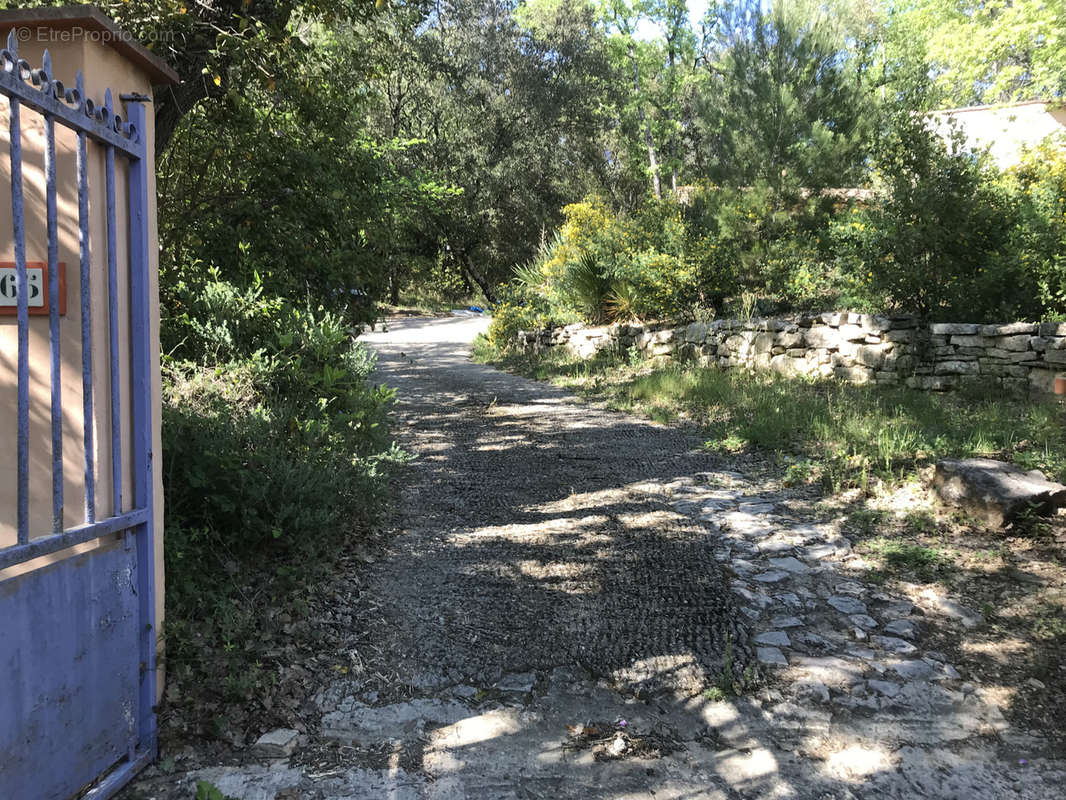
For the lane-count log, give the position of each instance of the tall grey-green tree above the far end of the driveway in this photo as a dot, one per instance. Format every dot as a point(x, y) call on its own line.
point(503, 106)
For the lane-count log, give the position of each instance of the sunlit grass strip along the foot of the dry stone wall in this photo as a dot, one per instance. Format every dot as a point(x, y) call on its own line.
point(841, 435)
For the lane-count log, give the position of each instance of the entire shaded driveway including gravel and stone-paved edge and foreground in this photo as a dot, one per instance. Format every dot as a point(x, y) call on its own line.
point(570, 594)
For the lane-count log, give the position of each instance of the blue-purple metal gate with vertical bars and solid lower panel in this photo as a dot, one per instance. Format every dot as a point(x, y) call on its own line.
point(78, 634)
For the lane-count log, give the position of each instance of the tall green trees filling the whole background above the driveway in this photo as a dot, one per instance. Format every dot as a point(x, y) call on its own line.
point(322, 147)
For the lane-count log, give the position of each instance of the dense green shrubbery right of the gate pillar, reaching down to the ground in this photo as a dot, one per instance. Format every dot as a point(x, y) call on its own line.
point(276, 455)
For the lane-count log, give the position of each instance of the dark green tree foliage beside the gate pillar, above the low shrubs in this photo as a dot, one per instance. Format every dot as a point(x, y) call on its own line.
point(288, 195)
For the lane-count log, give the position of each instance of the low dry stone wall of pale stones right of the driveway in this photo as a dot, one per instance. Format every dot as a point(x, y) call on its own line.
point(858, 348)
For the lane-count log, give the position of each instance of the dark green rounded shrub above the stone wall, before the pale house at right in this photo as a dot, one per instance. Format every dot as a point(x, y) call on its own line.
point(938, 241)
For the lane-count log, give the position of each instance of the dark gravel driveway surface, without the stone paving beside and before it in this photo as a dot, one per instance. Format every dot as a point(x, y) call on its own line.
point(536, 535)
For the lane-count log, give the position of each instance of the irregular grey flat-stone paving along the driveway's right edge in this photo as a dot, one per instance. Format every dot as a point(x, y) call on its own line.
point(831, 641)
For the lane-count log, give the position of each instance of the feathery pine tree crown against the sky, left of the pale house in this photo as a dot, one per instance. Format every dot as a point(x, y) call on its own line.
point(783, 98)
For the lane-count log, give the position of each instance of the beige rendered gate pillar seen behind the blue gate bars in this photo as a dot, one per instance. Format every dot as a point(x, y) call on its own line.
point(104, 67)
